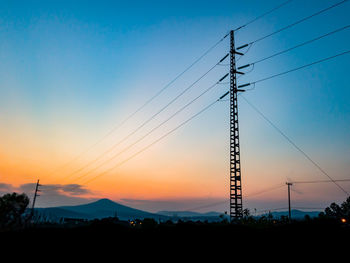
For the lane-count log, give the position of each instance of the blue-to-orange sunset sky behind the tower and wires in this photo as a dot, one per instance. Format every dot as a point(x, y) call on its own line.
point(72, 71)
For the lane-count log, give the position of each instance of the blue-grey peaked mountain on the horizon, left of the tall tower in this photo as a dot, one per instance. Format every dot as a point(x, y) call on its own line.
point(100, 209)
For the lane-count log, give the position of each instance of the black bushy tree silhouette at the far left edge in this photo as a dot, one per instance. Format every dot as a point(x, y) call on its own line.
point(12, 210)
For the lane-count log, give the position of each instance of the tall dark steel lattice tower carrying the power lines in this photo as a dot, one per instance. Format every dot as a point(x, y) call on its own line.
point(236, 206)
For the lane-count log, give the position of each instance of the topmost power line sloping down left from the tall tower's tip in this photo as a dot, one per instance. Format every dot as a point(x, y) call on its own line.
point(118, 126)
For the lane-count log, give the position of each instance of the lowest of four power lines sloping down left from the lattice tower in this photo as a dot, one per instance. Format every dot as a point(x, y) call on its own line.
point(159, 139)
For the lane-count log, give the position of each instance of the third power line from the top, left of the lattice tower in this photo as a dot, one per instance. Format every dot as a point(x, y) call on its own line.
point(154, 129)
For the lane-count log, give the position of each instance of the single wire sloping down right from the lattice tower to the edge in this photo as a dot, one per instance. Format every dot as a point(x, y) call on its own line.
point(294, 145)
